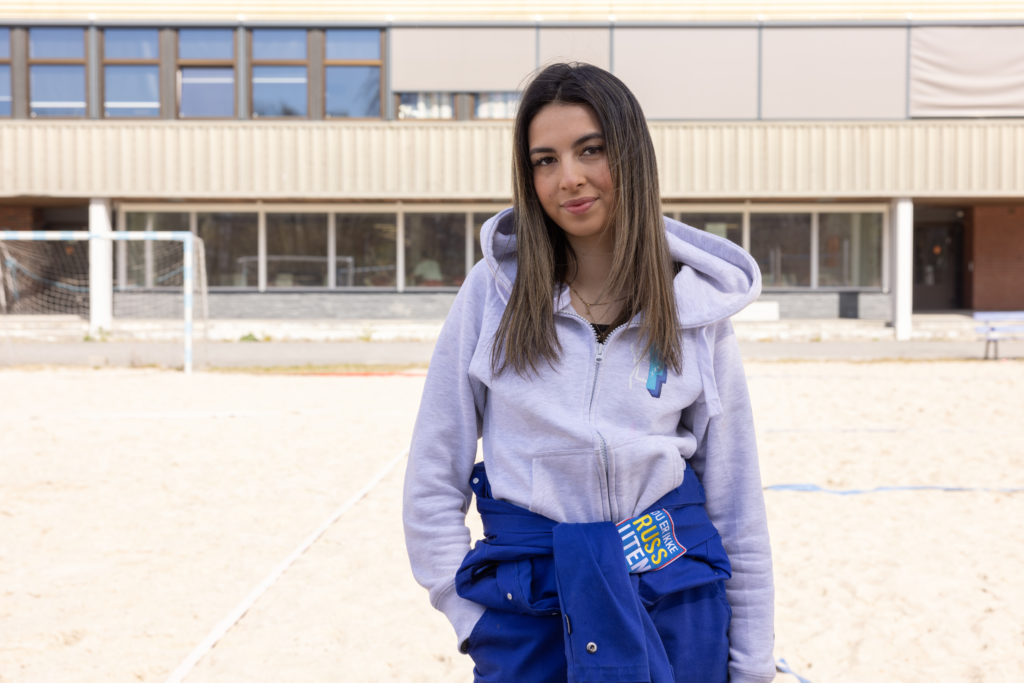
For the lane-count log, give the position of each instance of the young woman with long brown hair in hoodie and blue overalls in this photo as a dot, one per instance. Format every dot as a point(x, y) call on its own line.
point(625, 534)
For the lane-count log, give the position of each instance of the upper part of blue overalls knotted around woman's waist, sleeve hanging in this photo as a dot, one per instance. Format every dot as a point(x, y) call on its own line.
point(530, 565)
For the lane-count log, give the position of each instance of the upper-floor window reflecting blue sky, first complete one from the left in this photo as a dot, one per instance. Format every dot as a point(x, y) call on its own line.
point(57, 72)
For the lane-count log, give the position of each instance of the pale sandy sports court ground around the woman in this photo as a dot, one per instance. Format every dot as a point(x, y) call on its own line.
point(139, 508)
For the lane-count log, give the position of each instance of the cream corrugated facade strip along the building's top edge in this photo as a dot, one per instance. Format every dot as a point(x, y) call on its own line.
point(470, 11)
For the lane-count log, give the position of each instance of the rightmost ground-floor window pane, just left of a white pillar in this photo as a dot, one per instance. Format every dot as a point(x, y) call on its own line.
point(850, 250)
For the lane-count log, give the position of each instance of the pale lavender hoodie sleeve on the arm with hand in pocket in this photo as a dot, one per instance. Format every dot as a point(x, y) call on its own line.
point(441, 459)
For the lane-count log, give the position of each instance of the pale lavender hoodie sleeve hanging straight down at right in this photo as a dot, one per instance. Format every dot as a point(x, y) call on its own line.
point(727, 462)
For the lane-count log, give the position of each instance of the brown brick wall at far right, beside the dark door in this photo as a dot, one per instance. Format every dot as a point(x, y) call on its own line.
point(999, 258)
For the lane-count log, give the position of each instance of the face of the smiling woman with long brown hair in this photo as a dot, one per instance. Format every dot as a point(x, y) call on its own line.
point(571, 173)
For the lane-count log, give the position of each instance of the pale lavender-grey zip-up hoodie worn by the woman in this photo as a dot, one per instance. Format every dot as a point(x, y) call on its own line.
point(602, 435)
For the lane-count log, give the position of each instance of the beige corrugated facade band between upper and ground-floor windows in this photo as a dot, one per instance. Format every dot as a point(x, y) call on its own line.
point(472, 160)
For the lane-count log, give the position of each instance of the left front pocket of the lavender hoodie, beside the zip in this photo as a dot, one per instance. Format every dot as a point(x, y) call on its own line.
point(569, 487)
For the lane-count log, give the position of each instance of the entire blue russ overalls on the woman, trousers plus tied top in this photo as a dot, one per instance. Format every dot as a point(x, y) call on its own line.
point(563, 605)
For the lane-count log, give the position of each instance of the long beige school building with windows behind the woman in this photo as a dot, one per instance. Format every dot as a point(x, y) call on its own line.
point(338, 158)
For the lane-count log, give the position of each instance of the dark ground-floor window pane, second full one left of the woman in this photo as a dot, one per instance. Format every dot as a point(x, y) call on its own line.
point(366, 249)
